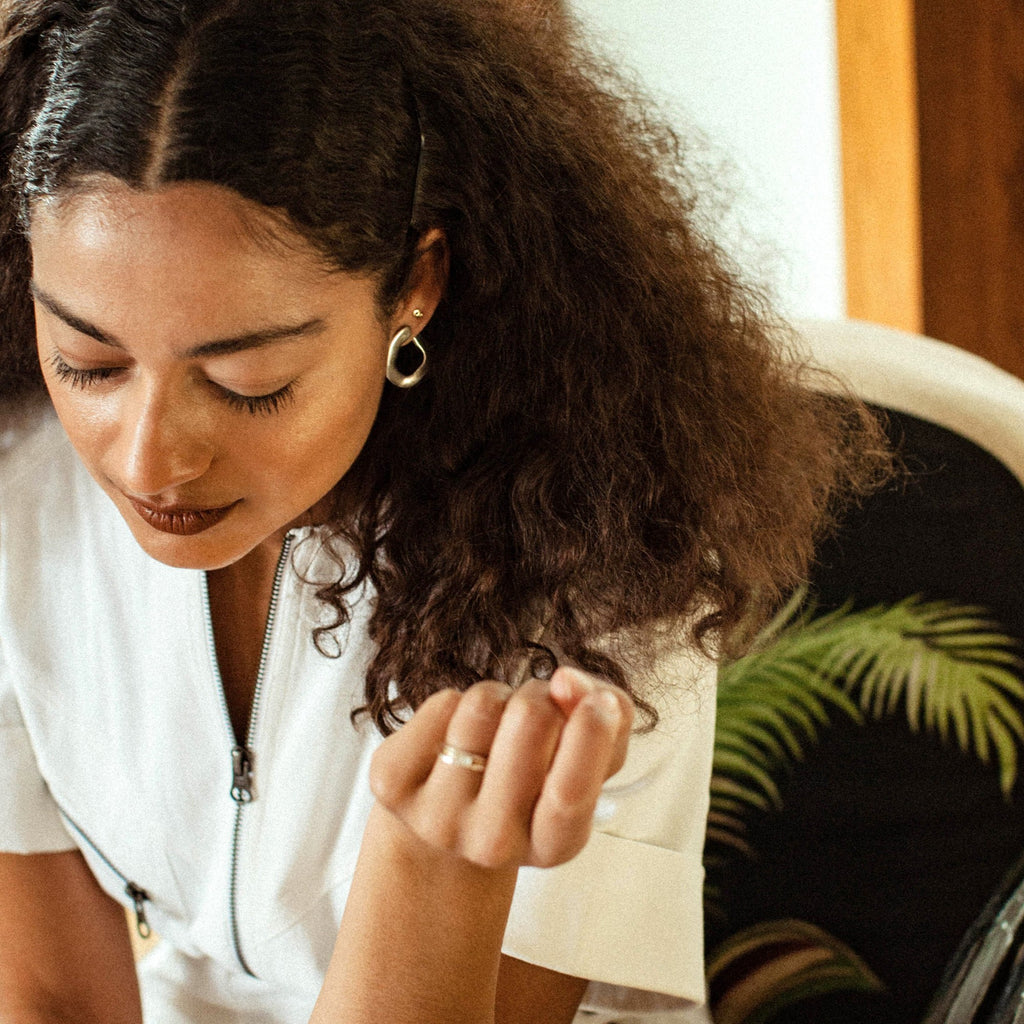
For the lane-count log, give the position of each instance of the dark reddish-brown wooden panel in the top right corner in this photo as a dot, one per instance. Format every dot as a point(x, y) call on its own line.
point(971, 84)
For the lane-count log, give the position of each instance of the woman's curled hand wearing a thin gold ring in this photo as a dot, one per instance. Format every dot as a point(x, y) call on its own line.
point(548, 748)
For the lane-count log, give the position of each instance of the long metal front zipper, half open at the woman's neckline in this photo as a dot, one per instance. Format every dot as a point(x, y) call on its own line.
point(243, 770)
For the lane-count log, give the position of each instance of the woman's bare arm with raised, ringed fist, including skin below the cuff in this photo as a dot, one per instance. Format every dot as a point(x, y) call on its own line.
point(421, 936)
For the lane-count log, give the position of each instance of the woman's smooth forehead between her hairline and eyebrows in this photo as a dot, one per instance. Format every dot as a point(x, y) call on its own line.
point(115, 257)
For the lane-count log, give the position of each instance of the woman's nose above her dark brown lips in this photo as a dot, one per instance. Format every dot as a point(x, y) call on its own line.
point(161, 444)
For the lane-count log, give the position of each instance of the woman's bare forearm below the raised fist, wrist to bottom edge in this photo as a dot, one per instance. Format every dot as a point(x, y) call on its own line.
point(421, 935)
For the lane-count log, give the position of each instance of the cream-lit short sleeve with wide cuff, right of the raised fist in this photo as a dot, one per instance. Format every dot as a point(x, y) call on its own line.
point(627, 912)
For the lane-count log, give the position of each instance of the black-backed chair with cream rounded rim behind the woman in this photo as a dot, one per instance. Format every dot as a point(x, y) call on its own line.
point(886, 840)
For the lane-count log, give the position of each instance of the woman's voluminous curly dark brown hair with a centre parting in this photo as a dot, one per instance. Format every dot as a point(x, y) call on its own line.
point(610, 441)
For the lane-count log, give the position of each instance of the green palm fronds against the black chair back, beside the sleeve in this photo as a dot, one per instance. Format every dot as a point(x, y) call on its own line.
point(955, 674)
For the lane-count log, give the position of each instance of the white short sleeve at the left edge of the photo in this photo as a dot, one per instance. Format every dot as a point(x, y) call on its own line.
point(30, 822)
